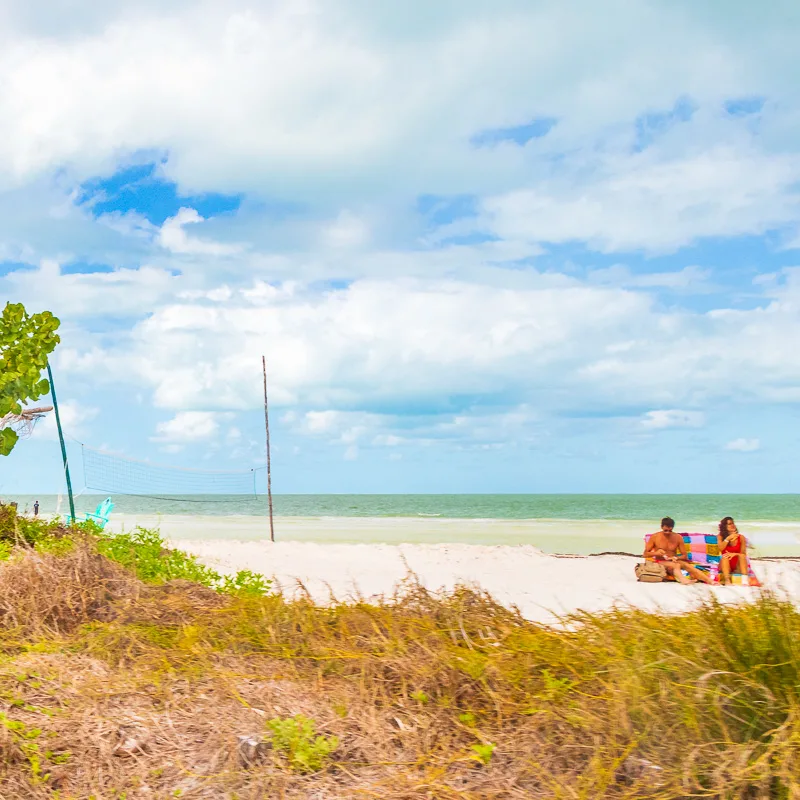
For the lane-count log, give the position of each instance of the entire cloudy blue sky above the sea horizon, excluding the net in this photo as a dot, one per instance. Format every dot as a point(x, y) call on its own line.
point(519, 246)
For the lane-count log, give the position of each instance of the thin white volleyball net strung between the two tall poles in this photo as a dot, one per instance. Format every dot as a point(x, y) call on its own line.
point(114, 474)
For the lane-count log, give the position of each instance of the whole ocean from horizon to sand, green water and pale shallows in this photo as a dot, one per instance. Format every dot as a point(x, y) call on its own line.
point(556, 523)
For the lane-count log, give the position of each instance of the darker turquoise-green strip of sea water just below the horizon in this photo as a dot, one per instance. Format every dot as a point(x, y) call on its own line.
point(755, 507)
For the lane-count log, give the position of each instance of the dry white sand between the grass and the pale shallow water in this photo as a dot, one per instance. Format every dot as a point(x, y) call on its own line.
point(541, 586)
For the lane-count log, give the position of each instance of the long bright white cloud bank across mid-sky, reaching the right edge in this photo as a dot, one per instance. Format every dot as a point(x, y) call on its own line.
point(450, 345)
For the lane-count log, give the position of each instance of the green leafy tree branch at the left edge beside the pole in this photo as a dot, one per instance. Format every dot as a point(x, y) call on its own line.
point(26, 341)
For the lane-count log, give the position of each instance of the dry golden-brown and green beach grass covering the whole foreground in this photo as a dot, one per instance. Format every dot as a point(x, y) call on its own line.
point(120, 679)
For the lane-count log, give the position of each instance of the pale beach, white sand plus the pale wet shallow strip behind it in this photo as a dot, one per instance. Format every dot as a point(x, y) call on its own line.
point(545, 568)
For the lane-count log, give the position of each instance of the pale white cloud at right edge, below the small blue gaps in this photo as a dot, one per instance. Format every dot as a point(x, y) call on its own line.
point(657, 205)
